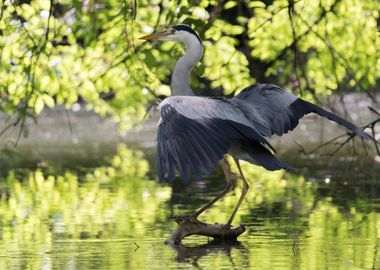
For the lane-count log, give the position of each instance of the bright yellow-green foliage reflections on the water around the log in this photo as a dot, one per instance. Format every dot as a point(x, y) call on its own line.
point(115, 217)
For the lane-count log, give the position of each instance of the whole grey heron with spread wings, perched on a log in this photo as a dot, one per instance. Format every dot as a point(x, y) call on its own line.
point(194, 133)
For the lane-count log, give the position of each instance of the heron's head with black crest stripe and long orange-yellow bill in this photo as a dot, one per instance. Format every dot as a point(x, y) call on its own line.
point(180, 33)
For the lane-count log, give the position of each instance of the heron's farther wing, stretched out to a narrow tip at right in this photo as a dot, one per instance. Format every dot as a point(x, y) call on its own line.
point(274, 110)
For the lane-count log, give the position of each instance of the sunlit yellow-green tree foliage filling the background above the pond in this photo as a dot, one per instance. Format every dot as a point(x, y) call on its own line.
point(58, 51)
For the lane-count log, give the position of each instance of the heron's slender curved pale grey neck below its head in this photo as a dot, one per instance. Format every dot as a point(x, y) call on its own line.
point(180, 77)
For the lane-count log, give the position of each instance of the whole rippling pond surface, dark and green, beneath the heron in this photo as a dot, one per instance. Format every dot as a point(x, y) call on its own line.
point(79, 201)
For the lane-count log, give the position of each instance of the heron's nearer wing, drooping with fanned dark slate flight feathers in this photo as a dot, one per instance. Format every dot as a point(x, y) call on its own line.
point(195, 132)
